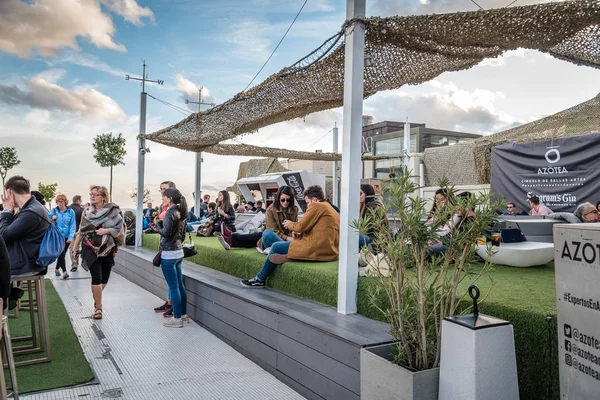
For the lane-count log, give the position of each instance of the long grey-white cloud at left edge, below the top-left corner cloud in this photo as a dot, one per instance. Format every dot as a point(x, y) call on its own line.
point(42, 94)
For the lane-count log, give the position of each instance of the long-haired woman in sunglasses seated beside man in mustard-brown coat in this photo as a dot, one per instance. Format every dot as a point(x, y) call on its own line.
point(283, 208)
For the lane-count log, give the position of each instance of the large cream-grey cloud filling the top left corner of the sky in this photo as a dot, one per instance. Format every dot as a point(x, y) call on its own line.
point(49, 25)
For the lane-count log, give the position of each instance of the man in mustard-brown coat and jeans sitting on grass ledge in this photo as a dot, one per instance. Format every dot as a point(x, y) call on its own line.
point(316, 237)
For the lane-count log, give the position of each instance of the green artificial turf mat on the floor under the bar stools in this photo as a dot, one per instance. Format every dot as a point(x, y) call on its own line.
point(68, 366)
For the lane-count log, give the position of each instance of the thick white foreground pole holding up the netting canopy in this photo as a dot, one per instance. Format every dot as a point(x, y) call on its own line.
point(351, 146)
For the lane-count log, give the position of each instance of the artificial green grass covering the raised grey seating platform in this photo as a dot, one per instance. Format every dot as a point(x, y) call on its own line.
point(523, 296)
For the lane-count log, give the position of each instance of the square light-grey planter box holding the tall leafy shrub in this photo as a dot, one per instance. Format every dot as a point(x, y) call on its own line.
point(381, 379)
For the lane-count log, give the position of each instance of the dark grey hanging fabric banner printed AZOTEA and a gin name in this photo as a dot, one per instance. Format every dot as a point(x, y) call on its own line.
point(562, 172)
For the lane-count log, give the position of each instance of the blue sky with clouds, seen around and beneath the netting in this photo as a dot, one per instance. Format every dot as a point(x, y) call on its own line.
point(63, 65)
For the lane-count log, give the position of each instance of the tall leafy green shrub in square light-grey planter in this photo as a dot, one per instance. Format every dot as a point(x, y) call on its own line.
point(421, 289)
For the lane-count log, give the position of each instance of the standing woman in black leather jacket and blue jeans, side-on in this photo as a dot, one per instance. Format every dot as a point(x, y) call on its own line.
point(172, 233)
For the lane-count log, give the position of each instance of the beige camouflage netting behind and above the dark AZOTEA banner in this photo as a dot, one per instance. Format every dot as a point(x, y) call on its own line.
point(469, 163)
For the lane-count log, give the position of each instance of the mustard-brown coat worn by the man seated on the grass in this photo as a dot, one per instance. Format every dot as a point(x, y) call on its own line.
point(320, 239)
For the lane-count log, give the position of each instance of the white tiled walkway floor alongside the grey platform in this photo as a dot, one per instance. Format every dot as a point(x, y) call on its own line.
point(134, 357)
